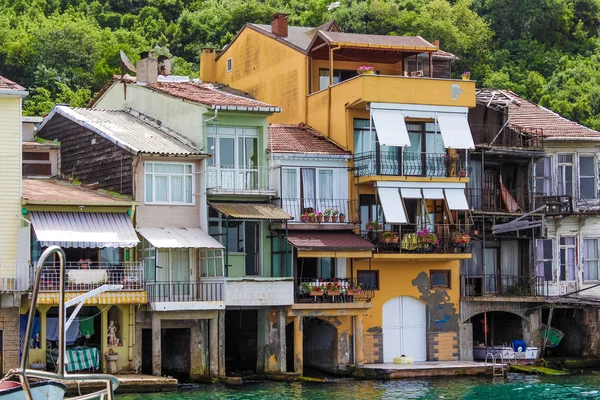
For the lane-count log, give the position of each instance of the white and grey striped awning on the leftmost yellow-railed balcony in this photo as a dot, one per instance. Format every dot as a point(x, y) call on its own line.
point(83, 229)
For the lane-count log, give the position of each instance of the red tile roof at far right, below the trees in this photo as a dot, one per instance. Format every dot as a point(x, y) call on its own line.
point(530, 117)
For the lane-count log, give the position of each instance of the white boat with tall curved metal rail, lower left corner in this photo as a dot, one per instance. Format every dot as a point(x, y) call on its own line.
point(52, 386)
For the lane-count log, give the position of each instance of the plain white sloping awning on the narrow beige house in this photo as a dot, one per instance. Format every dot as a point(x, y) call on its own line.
point(179, 238)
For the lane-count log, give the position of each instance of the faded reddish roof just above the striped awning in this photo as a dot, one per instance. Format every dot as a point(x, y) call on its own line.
point(63, 191)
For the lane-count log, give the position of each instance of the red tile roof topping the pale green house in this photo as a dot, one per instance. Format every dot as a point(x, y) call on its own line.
point(206, 94)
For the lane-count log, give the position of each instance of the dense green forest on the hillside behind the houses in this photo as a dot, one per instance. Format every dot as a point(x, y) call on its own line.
point(64, 51)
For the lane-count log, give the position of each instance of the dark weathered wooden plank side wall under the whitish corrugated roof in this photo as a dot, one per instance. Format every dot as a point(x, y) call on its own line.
point(104, 162)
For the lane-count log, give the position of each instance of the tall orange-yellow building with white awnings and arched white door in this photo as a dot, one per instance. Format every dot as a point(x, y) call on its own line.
point(390, 101)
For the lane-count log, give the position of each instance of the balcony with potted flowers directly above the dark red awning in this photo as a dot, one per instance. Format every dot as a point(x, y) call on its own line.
point(347, 212)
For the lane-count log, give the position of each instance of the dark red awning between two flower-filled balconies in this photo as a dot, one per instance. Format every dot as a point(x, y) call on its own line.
point(322, 241)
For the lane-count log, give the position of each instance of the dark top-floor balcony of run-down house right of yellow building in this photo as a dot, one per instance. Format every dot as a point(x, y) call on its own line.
point(496, 136)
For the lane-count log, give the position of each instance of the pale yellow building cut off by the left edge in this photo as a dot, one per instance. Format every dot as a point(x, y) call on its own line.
point(12, 278)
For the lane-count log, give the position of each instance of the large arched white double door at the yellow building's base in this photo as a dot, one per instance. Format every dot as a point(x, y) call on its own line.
point(404, 329)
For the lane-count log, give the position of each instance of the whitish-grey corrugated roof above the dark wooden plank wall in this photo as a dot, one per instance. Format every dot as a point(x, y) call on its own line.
point(127, 131)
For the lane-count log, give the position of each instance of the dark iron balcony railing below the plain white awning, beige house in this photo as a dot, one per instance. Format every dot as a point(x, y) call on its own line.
point(185, 291)
